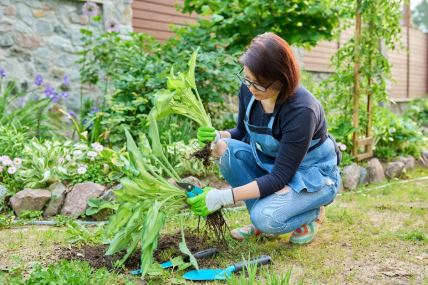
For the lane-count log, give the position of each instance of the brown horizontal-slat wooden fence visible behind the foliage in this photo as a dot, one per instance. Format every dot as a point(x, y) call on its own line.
point(409, 72)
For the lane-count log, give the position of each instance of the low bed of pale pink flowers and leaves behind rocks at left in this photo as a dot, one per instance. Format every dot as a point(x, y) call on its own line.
point(43, 163)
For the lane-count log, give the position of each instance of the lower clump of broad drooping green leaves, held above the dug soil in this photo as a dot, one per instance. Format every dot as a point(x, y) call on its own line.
point(144, 202)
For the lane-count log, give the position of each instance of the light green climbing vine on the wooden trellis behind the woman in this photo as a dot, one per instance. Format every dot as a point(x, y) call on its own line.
point(337, 90)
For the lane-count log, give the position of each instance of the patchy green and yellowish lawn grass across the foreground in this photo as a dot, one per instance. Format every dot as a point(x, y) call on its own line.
point(375, 236)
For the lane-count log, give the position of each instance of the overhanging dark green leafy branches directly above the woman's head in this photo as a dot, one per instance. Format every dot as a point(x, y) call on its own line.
point(298, 22)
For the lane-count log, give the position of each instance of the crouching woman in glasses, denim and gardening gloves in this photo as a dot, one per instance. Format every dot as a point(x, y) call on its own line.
point(279, 159)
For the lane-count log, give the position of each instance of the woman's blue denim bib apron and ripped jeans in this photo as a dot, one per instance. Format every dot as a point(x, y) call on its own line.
point(314, 184)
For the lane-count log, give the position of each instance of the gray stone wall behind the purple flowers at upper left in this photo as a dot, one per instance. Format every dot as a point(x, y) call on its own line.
point(43, 36)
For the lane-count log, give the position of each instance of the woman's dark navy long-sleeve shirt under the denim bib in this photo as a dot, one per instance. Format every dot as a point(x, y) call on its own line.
point(298, 121)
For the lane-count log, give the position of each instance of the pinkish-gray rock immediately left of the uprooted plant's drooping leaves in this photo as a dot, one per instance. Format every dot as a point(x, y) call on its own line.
point(76, 200)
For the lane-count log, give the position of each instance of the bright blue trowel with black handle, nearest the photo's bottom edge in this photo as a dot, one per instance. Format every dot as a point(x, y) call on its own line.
point(223, 274)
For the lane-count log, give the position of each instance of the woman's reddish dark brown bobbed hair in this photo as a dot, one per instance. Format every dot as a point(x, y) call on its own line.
point(270, 58)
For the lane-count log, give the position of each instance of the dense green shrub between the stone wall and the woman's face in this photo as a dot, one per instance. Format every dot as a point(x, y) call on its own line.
point(131, 70)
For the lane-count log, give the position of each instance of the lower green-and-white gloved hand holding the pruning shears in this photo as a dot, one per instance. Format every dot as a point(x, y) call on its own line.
point(210, 201)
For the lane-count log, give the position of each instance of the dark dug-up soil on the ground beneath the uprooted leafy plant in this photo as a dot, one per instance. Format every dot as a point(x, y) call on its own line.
point(94, 254)
